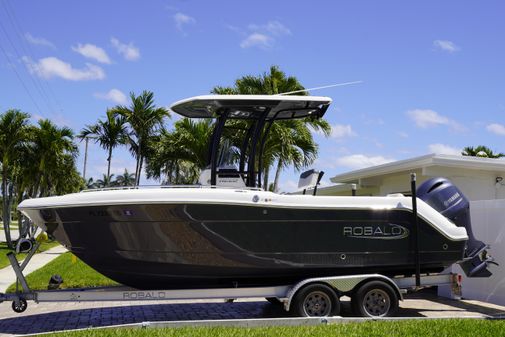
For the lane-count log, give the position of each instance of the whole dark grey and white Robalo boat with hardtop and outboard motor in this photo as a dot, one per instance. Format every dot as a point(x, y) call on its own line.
point(230, 232)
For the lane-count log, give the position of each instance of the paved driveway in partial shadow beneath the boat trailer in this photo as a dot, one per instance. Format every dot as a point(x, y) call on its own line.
point(65, 316)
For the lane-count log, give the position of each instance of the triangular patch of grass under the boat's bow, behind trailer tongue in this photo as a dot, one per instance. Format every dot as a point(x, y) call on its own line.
point(75, 274)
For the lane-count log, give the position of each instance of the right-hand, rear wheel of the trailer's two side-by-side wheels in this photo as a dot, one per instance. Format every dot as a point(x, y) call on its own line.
point(375, 299)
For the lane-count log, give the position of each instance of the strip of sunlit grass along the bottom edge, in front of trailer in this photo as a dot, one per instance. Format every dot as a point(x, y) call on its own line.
point(435, 328)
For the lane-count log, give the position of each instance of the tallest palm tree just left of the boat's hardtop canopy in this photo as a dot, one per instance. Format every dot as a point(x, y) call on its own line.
point(145, 120)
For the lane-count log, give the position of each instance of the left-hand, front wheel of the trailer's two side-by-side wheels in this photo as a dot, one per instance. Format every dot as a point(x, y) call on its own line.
point(315, 300)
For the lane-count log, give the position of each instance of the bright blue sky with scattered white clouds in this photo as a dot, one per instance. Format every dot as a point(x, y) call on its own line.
point(432, 72)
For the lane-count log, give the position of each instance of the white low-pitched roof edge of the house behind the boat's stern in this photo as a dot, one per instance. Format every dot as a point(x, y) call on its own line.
point(464, 162)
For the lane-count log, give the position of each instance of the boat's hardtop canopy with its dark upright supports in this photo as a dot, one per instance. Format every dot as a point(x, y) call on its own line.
point(258, 112)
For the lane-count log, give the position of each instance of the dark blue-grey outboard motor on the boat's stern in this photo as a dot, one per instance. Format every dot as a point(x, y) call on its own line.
point(448, 200)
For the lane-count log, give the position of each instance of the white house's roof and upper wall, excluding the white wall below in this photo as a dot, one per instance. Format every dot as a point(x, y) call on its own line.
point(478, 178)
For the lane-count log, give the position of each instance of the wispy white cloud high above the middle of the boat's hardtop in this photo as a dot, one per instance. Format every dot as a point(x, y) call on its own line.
point(264, 36)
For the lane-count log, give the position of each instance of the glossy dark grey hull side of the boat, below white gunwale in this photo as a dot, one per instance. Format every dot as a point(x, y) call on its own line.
point(185, 245)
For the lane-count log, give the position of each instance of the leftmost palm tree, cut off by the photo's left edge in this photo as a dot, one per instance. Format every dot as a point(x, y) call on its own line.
point(13, 138)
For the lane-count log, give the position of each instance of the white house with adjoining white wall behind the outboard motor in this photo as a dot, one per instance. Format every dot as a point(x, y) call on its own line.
point(480, 179)
